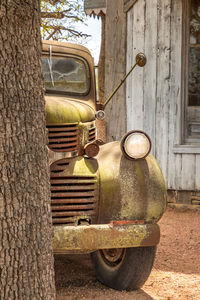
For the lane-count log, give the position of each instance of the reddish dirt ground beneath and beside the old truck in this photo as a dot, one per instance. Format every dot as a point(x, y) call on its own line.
point(175, 275)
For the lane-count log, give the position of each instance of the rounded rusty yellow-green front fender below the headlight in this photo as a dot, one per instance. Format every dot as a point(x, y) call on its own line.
point(130, 190)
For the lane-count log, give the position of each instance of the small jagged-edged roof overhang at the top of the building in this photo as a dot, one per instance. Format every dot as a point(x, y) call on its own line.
point(95, 7)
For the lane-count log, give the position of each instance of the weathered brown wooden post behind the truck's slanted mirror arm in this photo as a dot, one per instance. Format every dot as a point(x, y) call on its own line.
point(115, 69)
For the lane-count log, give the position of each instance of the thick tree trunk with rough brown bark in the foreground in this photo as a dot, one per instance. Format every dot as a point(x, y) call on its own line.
point(26, 259)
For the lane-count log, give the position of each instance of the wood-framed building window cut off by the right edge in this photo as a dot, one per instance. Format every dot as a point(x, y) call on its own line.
point(192, 91)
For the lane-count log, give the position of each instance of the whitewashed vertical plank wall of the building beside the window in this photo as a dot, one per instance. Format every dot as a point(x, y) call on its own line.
point(153, 94)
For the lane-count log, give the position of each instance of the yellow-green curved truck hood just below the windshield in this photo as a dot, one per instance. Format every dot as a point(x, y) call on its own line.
point(65, 110)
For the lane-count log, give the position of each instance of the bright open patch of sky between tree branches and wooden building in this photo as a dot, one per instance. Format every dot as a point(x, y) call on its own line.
point(93, 43)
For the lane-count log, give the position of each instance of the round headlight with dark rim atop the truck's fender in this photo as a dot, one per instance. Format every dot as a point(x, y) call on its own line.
point(136, 144)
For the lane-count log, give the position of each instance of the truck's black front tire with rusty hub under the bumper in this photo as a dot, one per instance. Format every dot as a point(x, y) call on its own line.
point(124, 269)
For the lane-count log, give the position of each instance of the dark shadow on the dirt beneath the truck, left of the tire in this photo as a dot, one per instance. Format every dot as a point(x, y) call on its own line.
point(75, 279)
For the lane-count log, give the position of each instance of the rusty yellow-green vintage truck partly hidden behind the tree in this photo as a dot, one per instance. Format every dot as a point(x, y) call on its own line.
point(106, 199)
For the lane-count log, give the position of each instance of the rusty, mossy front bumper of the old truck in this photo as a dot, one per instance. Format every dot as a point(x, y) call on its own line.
point(119, 234)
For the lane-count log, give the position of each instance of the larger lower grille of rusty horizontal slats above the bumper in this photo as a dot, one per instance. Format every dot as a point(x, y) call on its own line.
point(71, 196)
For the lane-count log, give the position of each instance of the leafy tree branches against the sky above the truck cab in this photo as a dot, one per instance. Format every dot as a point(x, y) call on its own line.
point(60, 19)
